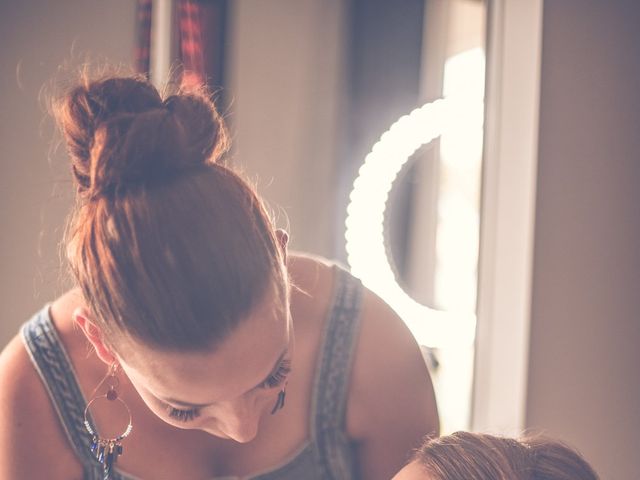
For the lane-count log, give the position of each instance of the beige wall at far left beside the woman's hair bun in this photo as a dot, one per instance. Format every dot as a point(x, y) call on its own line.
point(34, 189)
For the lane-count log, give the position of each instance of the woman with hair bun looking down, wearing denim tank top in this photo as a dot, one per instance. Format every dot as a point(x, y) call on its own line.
point(194, 345)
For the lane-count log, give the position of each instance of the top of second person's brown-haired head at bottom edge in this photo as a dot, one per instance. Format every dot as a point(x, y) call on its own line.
point(472, 456)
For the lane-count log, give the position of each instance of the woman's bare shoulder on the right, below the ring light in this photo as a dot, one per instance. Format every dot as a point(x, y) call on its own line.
point(391, 404)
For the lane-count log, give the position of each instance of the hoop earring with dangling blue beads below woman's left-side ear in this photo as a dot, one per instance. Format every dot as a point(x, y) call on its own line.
point(107, 450)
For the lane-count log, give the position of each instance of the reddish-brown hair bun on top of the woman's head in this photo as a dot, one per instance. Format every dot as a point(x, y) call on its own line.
point(120, 133)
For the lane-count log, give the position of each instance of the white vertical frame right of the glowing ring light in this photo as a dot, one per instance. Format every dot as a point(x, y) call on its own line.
point(508, 215)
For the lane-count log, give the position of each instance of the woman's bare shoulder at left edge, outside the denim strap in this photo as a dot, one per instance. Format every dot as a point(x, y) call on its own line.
point(32, 444)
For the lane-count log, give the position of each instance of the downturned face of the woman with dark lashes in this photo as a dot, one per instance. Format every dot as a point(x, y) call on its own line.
point(225, 391)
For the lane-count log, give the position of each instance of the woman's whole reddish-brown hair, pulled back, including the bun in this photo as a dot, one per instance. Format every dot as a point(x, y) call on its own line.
point(169, 245)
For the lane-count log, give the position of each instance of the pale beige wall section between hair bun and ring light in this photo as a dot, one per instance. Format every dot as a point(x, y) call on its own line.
point(286, 68)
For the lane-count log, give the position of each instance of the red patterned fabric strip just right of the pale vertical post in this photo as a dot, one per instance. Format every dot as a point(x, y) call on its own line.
point(191, 48)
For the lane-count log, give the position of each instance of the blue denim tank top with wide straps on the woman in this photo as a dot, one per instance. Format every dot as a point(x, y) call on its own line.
point(326, 455)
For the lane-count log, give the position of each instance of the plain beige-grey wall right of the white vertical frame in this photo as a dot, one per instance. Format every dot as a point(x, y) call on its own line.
point(585, 339)
